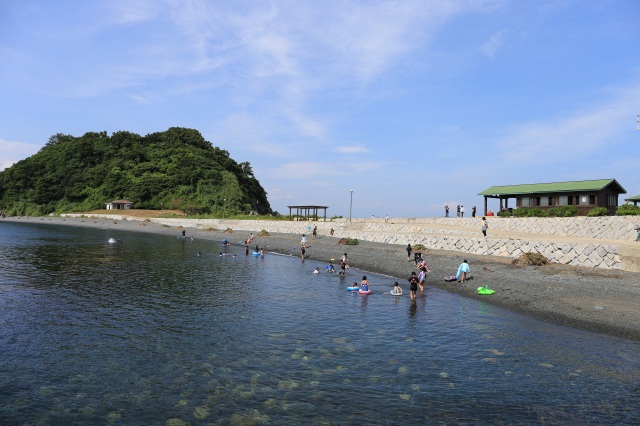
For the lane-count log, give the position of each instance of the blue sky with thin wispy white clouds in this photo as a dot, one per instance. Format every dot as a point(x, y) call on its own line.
point(410, 104)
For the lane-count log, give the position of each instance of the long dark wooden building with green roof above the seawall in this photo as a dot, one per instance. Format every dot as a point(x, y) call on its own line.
point(584, 194)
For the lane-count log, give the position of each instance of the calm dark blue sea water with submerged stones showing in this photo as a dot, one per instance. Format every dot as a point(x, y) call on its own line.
point(146, 332)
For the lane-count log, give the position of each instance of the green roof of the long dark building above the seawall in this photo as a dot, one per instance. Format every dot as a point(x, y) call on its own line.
point(537, 188)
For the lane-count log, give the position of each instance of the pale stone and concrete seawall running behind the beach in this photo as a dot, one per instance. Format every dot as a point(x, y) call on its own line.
point(599, 242)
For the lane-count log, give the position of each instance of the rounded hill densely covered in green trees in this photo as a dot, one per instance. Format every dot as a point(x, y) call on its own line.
point(175, 169)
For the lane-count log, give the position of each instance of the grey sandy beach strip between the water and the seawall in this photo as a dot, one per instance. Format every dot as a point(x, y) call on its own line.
point(596, 300)
